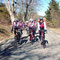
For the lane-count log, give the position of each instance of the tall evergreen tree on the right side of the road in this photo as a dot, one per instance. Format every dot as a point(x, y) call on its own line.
point(52, 13)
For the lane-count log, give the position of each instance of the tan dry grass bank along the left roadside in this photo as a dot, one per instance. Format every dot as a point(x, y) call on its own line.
point(6, 32)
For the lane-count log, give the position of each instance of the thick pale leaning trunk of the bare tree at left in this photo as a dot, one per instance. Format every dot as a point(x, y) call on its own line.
point(11, 10)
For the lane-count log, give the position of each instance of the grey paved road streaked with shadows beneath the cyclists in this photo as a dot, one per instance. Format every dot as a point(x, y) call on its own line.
point(27, 51)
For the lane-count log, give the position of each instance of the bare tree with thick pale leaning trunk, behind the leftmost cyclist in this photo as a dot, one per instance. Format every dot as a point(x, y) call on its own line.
point(11, 7)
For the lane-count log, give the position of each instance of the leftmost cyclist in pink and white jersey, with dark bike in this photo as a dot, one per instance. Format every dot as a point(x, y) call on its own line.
point(17, 28)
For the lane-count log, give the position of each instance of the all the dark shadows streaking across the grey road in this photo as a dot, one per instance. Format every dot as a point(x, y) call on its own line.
point(7, 52)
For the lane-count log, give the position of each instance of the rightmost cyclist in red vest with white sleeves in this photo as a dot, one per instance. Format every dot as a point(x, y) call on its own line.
point(41, 27)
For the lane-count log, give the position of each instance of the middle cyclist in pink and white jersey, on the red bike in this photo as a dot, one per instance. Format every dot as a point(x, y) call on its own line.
point(32, 27)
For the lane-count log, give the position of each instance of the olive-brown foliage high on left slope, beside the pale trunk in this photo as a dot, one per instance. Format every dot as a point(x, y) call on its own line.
point(4, 14)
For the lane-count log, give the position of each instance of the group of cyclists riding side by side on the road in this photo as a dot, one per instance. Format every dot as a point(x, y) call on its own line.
point(30, 25)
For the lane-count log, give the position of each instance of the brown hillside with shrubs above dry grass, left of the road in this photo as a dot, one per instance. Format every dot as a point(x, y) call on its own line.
point(5, 24)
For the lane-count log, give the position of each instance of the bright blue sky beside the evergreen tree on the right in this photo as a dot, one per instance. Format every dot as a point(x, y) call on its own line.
point(44, 7)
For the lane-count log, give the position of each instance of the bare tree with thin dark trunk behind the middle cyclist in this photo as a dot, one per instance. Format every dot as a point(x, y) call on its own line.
point(28, 7)
